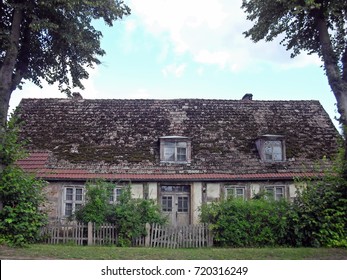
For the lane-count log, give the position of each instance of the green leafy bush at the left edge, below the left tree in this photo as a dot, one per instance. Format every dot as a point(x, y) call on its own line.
point(21, 217)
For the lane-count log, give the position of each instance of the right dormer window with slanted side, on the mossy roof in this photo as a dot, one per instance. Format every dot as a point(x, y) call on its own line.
point(271, 148)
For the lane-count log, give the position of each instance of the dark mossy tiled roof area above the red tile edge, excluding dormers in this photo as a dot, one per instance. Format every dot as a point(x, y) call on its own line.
point(122, 136)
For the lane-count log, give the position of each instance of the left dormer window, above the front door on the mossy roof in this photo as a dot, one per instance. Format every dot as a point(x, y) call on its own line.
point(174, 149)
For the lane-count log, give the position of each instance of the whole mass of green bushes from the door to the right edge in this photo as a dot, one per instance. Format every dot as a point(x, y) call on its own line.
point(316, 218)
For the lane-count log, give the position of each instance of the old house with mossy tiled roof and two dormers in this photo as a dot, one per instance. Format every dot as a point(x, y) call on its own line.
point(179, 152)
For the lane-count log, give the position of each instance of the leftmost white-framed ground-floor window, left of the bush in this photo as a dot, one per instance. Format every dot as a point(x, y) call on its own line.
point(73, 200)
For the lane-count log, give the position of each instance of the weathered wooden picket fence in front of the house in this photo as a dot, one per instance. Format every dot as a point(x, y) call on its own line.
point(106, 234)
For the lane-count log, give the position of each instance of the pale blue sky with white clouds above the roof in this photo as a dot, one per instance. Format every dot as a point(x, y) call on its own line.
point(193, 49)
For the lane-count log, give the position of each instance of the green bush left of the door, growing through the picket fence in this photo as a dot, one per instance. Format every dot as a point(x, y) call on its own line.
point(128, 214)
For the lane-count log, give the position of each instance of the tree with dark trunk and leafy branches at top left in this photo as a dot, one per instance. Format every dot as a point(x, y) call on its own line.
point(52, 40)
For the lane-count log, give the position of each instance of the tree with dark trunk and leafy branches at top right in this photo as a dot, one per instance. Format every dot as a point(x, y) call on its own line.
point(314, 26)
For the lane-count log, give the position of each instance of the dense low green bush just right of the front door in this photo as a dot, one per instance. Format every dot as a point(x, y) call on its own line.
point(252, 223)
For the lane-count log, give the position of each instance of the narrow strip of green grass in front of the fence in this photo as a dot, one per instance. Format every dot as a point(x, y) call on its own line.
point(43, 251)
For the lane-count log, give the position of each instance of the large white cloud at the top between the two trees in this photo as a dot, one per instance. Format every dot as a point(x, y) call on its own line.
point(211, 32)
